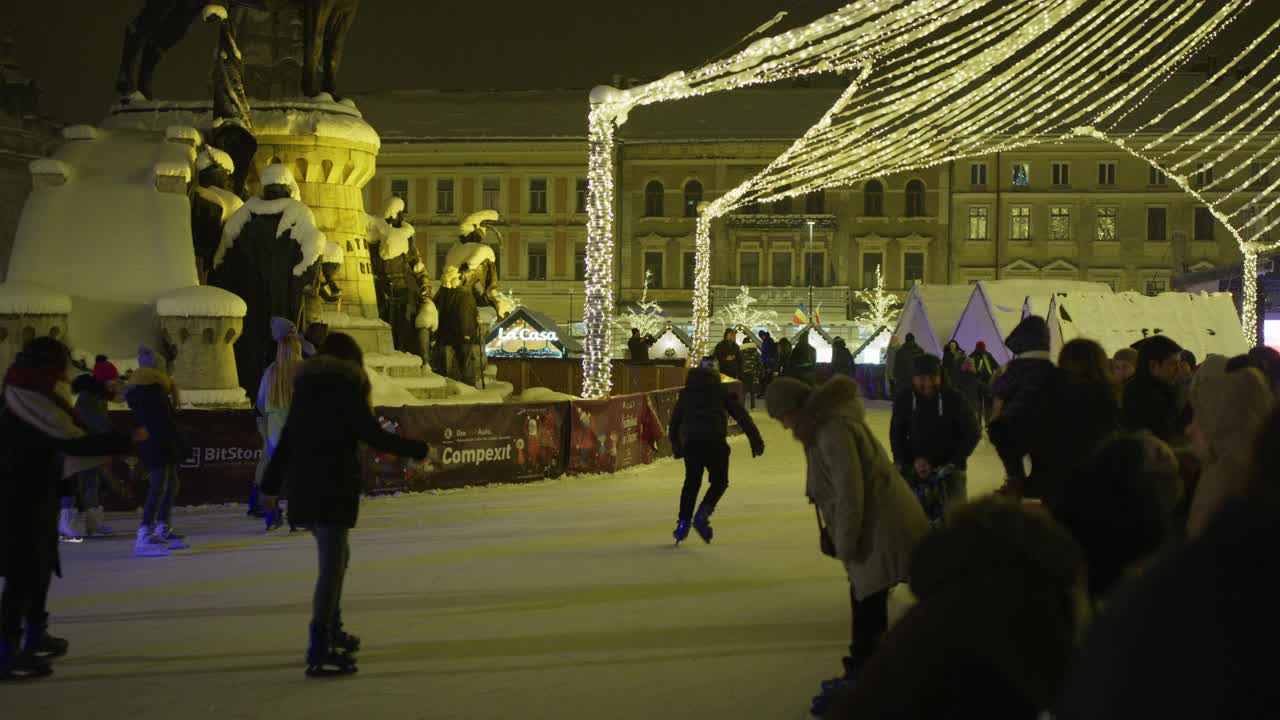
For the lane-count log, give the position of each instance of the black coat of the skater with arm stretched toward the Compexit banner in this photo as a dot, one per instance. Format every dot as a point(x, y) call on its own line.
point(318, 457)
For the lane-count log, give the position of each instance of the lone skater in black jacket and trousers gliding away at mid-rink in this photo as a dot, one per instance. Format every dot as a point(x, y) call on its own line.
point(700, 426)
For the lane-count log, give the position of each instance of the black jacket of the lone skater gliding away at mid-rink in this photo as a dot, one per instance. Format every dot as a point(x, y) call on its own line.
point(703, 411)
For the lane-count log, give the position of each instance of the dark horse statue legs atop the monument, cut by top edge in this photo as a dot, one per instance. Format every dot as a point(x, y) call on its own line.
point(163, 24)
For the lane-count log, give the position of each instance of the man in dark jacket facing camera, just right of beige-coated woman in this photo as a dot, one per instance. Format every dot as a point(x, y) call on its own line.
point(934, 429)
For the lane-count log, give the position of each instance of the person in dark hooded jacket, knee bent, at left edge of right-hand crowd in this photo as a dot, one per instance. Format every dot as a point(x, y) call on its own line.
point(1014, 399)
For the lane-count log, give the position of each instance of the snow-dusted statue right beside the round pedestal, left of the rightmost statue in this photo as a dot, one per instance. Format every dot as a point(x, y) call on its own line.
point(400, 277)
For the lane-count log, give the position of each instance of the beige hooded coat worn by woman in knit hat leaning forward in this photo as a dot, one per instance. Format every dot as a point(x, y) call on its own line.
point(872, 517)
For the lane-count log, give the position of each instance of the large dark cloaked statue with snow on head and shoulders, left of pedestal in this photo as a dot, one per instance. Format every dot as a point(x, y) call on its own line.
point(271, 256)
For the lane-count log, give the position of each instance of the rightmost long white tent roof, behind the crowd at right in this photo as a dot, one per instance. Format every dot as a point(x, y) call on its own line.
point(1203, 323)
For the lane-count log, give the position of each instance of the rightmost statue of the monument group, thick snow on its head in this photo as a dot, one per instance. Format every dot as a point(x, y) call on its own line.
point(469, 280)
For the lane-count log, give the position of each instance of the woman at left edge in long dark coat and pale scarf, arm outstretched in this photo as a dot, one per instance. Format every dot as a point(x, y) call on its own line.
point(44, 443)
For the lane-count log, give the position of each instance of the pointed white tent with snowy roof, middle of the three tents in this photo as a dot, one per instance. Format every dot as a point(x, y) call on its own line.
point(995, 308)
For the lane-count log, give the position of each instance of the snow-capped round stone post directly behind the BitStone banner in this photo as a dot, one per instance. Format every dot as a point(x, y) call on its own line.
point(203, 325)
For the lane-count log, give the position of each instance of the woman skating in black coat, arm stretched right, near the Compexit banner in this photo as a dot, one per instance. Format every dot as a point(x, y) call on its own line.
point(318, 459)
